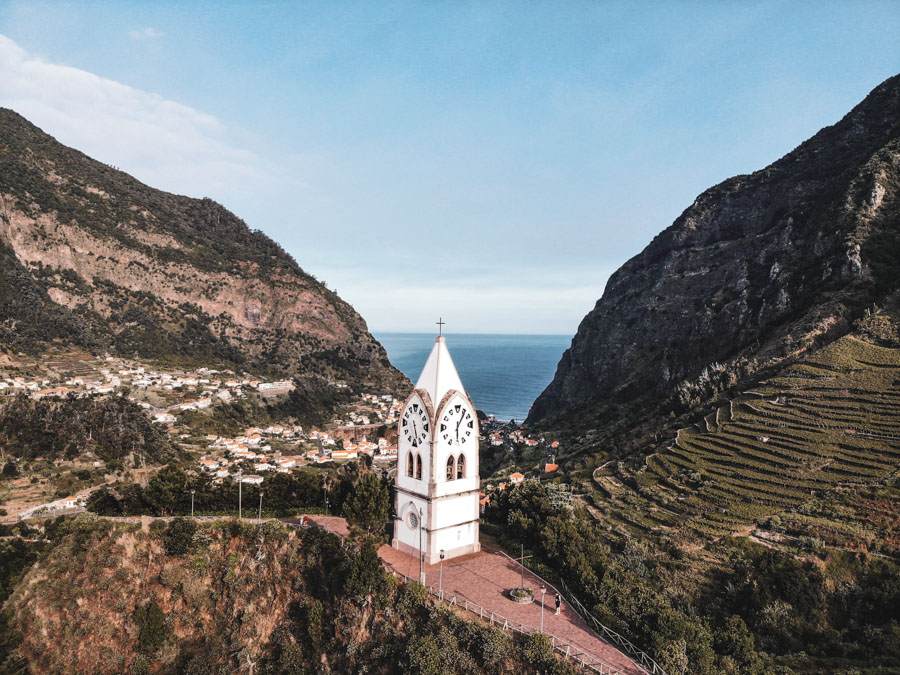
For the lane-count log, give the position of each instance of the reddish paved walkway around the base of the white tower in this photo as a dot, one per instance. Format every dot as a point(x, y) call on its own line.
point(485, 578)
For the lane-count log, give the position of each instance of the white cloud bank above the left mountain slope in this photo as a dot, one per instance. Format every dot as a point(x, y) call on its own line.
point(164, 143)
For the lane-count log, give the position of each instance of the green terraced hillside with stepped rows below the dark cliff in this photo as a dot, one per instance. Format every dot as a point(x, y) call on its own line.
point(817, 447)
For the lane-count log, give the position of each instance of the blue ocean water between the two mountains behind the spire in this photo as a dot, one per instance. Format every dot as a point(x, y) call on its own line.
point(502, 373)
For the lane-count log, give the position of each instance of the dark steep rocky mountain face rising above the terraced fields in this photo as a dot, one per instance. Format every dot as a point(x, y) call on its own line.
point(757, 270)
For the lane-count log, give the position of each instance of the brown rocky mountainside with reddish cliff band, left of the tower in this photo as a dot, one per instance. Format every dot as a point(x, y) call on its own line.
point(91, 256)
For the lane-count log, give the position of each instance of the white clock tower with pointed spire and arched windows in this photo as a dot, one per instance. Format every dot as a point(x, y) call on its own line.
point(437, 465)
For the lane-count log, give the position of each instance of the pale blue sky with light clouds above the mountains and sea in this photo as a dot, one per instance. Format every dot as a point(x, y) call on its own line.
point(491, 163)
